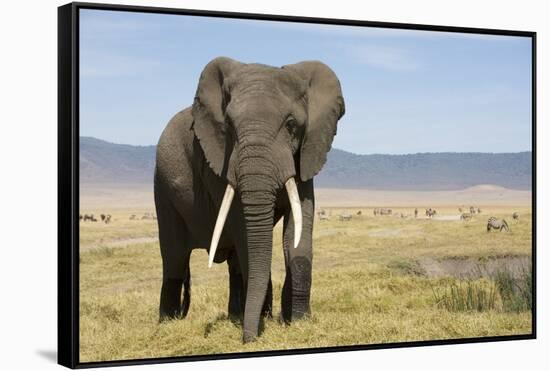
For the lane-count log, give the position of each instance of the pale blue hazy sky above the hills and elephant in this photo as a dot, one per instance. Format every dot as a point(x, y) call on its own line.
point(405, 91)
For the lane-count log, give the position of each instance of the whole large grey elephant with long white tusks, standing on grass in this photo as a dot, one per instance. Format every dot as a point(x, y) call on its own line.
point(259, 133)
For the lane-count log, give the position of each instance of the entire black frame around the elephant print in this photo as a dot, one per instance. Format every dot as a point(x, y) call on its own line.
point(68, 180)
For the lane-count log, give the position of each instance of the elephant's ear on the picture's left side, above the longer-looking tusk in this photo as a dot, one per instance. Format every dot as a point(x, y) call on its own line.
point(208, 111)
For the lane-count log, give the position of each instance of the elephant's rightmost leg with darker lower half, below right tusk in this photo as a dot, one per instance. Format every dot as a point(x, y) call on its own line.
point(298, 261)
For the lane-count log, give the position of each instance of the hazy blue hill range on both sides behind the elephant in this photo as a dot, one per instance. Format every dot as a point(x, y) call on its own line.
point(104, 162)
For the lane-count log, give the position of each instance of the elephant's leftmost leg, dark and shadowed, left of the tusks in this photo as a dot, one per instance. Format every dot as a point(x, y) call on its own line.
point(175, 254)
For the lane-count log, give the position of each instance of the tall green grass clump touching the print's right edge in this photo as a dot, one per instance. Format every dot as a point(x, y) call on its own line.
point(516, 291)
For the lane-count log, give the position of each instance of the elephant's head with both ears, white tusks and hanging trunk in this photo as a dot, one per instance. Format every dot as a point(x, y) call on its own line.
point(260, 127)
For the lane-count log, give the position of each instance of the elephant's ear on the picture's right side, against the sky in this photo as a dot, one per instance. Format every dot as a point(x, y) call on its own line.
point(325, 108)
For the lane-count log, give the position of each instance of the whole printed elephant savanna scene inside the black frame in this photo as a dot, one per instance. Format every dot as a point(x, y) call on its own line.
point(253, 185)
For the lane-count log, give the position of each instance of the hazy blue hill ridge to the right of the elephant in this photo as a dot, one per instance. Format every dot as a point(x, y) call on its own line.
point(426, 171)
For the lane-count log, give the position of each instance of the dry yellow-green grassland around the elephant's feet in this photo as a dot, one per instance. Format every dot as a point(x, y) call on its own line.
point(374, 280)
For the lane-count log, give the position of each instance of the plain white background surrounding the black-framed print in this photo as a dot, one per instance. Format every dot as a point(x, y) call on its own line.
point(28, 155)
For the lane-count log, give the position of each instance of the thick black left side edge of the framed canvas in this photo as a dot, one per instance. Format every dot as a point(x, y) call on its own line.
point(67, 255)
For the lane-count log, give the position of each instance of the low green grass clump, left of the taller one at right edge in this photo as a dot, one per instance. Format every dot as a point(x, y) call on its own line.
point(468, 296)
